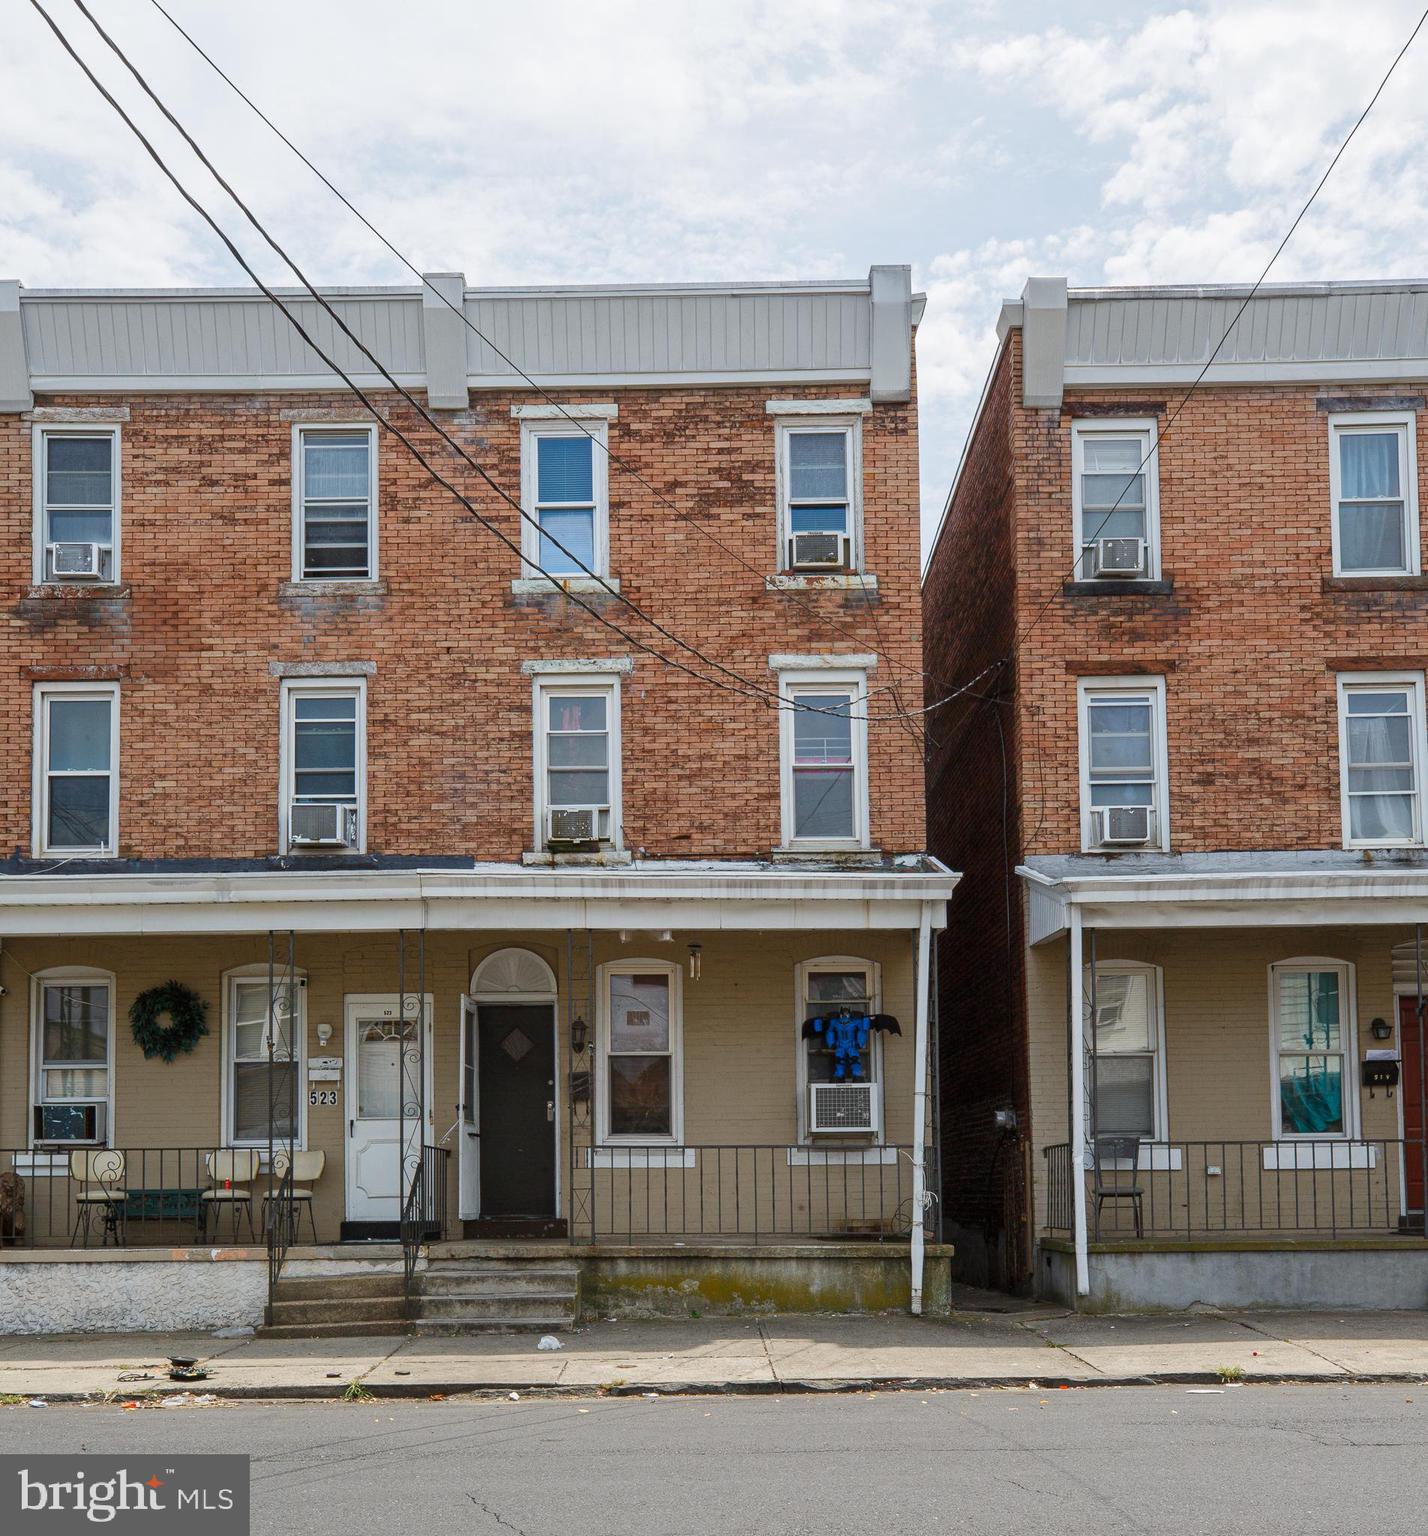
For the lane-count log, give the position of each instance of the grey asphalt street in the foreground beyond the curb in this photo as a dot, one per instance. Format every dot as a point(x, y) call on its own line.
point(1108, 1460)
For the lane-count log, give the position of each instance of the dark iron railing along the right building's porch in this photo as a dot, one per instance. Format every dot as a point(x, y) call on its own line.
point(1205, 1190)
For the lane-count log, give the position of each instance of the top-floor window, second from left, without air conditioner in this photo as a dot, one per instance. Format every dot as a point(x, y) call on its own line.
point(336, 503)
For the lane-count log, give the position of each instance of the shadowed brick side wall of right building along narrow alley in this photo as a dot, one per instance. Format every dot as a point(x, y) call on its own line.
point(970, 601)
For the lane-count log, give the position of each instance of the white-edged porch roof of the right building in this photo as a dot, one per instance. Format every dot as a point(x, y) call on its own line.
point(1272, 889)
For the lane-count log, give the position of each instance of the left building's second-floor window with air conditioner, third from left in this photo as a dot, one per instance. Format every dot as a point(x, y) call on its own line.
point(578, 763)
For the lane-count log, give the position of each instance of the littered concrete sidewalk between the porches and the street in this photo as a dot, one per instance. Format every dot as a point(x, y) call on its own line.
point(775, 1354)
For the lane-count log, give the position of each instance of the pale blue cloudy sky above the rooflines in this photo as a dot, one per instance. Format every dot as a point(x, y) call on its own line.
point(744, 141)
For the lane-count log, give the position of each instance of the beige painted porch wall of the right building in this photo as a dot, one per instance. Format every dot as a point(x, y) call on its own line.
point(1217, 985)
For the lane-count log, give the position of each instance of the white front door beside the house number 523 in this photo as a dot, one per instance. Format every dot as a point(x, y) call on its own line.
point(385, 1097)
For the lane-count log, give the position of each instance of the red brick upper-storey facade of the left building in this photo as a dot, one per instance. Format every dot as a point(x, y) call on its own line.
point(207, 548)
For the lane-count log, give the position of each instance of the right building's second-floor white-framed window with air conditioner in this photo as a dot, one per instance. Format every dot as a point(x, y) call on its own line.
point(1125, 770)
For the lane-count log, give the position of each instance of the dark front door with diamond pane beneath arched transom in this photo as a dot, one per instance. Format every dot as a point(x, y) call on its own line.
point(518, 1110)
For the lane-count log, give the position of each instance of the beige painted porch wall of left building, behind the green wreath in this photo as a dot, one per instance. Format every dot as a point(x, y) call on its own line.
point(739, 1045)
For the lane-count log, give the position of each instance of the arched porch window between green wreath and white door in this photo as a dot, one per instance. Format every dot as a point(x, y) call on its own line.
point(263, 1058)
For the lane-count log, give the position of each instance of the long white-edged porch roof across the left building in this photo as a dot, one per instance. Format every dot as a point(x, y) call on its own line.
point(122, 898)
